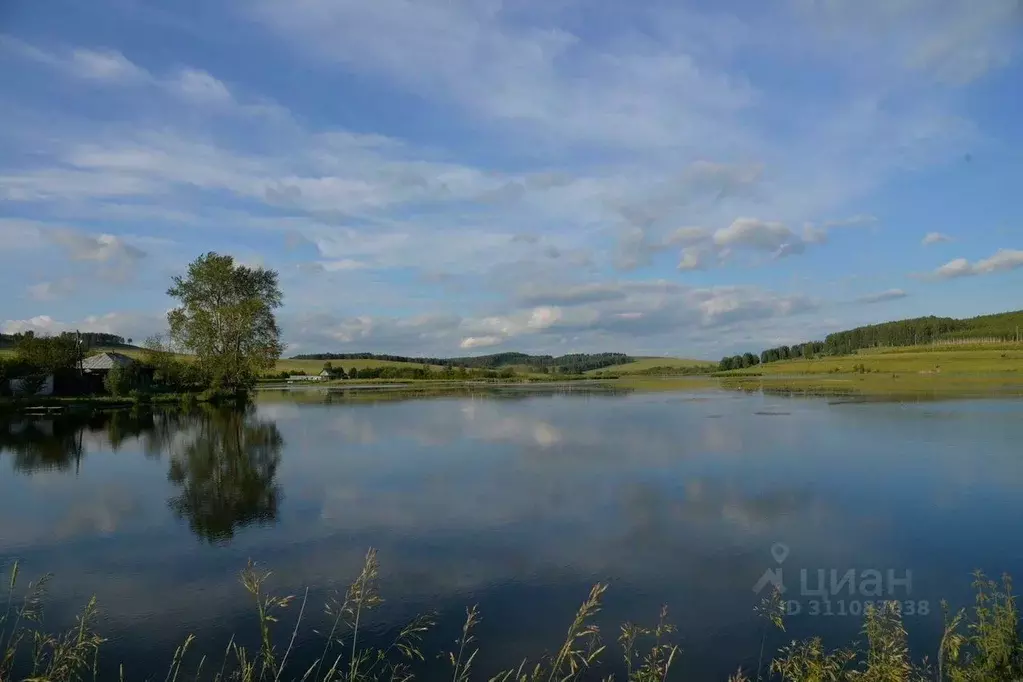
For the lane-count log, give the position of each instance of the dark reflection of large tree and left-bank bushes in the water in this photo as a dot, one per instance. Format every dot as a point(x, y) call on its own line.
point(224, 462)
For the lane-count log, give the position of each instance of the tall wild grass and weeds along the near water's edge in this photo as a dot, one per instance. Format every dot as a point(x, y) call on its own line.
point(981, 645)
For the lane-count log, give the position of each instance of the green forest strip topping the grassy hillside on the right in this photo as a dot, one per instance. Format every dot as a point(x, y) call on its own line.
point(916, 332)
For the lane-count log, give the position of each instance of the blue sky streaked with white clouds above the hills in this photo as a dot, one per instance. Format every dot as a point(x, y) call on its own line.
point(444, 177)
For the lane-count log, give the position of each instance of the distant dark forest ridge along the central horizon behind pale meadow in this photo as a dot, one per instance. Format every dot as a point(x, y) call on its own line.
point(565, 365)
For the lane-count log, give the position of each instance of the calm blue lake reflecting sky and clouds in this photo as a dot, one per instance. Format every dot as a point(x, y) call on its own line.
point(518, 504)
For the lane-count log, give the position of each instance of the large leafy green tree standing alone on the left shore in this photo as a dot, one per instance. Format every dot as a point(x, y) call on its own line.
point(227, 320)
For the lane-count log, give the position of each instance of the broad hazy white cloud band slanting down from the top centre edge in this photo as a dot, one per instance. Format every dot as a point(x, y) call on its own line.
point(520, 75)
